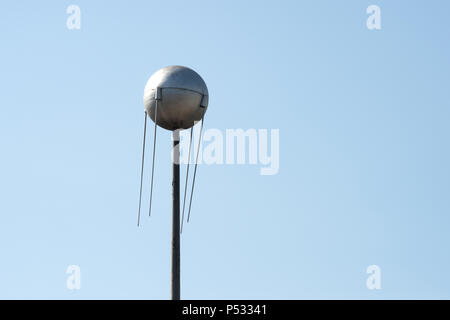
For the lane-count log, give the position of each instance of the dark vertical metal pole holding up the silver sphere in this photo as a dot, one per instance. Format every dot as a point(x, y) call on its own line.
point(176, 218)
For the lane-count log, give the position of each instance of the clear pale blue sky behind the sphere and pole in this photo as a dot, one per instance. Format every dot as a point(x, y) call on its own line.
point(364, 159)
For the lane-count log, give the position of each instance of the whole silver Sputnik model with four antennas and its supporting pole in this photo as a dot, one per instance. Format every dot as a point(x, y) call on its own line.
point(175, 98)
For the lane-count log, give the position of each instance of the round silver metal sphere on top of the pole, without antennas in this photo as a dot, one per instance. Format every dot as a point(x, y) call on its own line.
point(181, 96)
